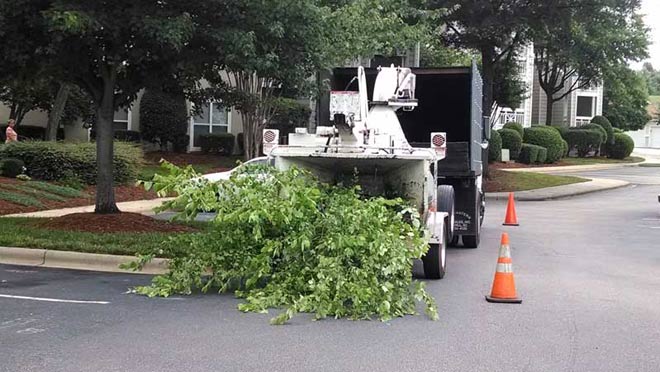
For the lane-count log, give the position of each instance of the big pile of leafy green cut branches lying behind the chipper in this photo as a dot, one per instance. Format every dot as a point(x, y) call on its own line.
point(310, 248)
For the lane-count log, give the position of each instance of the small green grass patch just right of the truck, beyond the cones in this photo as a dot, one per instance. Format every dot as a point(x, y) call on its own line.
point(503, 181)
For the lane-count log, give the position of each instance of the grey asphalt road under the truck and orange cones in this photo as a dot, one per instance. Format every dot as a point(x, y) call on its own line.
point(588, 269)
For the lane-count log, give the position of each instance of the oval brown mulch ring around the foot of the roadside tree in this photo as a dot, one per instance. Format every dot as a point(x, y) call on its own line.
point(109, 223)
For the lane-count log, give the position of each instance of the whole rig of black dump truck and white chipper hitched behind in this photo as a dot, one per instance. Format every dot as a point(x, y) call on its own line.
point(417, 134)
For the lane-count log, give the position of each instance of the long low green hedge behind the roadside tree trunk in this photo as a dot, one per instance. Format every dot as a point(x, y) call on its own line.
point(54, 161)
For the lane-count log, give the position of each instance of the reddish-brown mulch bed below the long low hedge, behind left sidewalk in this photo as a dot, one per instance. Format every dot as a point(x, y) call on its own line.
point(122, 193)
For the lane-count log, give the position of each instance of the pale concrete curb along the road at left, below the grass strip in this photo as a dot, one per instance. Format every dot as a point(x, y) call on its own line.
point(76, 260)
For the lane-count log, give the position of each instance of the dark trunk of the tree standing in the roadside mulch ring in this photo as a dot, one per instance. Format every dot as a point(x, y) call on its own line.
point(105, 194)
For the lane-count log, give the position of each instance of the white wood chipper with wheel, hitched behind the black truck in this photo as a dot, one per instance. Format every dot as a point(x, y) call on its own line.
point(367, 143)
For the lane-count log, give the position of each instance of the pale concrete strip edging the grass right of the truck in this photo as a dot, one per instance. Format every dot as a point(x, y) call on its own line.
point(557, 192)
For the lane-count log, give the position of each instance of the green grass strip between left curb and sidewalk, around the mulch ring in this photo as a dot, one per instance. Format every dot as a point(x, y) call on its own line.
point(22, 232)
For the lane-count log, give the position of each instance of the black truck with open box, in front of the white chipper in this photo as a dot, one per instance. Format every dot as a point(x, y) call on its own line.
point(449, 101)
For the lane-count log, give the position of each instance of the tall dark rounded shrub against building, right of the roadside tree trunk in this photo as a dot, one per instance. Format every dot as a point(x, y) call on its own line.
point(163, 117)
